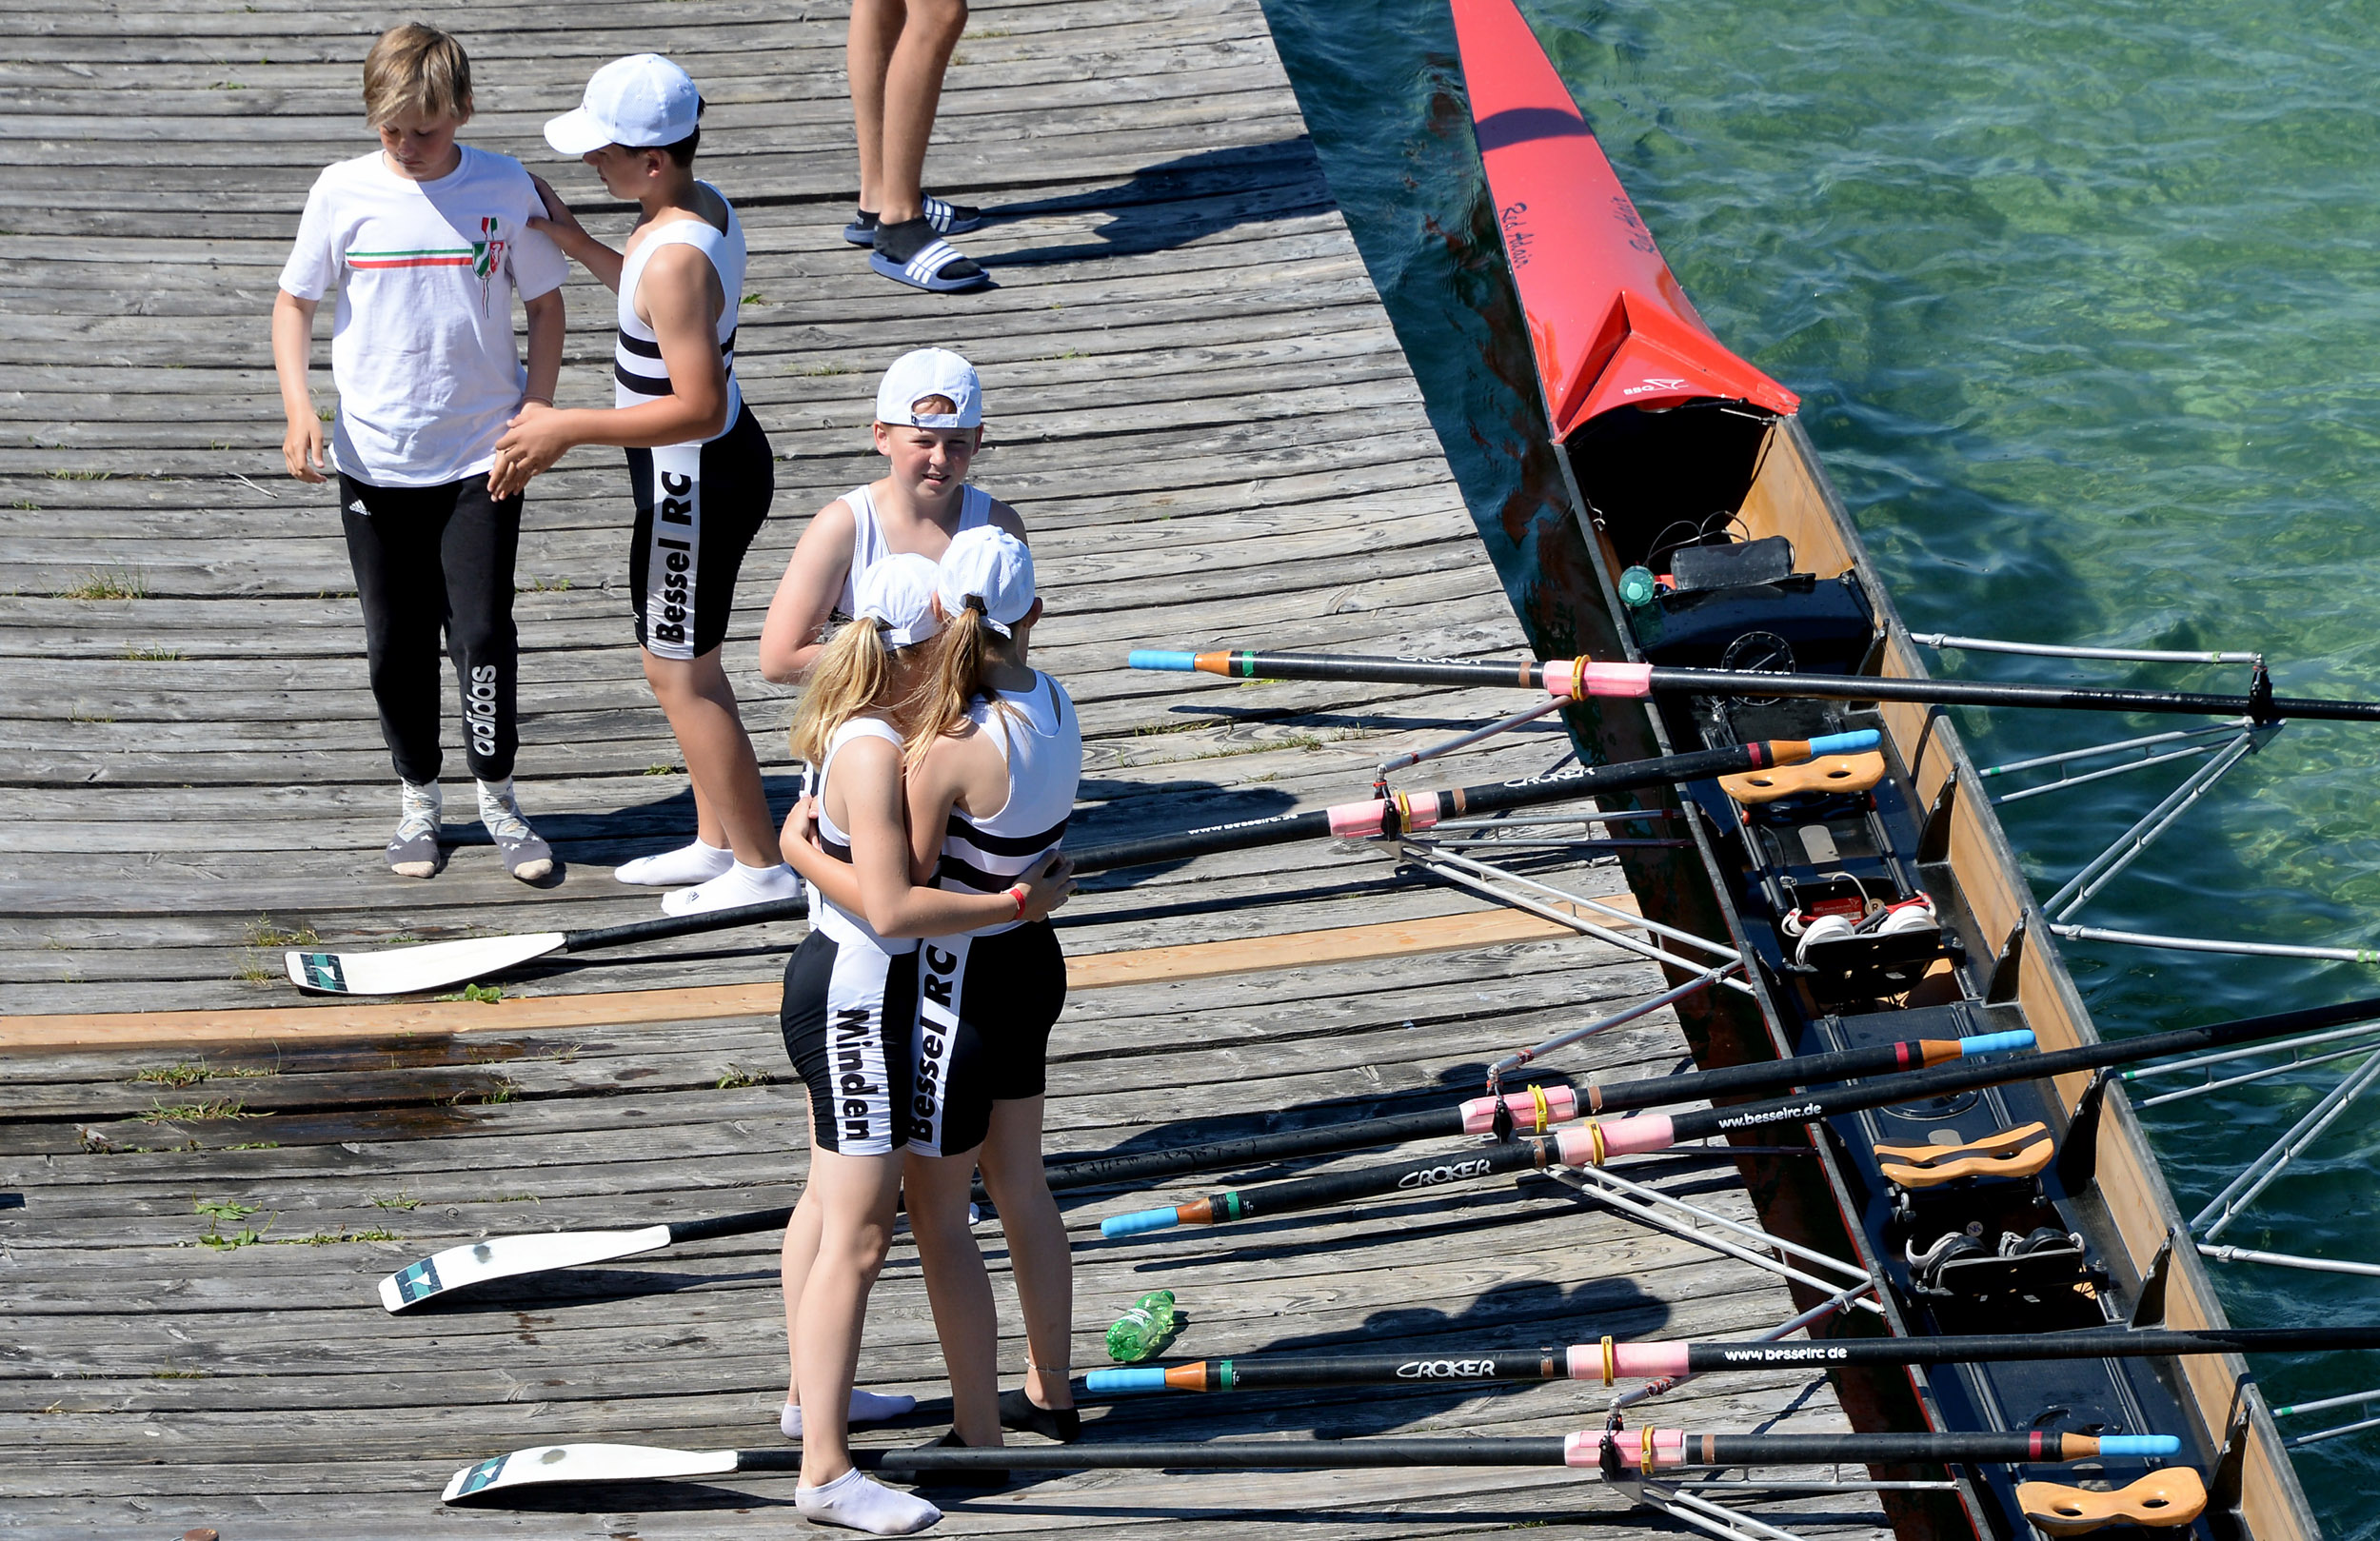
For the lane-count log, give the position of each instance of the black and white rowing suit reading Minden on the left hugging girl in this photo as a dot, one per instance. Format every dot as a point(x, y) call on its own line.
point(851, 1005)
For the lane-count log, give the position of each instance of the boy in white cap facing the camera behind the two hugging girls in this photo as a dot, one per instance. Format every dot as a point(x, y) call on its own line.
point(929, 424)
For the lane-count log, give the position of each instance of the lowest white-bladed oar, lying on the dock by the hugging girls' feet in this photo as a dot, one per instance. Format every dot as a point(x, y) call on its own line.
point(1636, 1449)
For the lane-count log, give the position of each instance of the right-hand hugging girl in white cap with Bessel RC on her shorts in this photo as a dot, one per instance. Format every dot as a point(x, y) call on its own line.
point(994, 765)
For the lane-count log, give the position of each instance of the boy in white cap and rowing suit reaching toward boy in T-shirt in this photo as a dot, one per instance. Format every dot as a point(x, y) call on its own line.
point(699, 463)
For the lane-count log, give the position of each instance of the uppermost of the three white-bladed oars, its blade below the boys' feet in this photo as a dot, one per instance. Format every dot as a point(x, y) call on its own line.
point(439, 964)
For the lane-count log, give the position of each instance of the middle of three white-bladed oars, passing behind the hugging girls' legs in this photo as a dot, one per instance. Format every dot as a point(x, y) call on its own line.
point(539, 1252)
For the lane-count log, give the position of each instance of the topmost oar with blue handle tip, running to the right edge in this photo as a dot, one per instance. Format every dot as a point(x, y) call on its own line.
point(1582, 679)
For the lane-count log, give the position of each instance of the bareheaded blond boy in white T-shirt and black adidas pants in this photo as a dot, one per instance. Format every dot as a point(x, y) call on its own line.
point(427, 244)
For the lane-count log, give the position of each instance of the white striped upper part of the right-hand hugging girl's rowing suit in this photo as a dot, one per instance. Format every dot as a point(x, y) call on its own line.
point(1044, 748)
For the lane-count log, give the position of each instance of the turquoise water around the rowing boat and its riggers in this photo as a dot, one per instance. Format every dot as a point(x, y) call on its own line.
point(2084, 303)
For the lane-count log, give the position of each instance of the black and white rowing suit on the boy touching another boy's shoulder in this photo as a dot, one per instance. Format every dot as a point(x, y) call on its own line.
point(696, 505)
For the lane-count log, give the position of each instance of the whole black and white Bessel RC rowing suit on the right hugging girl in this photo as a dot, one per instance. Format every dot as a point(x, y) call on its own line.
point(987, 1000)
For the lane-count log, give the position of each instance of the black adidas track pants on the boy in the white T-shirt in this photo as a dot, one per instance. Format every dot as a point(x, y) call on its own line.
point(427, 562)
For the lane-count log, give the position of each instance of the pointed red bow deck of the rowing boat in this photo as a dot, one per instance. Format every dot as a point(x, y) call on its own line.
point(1605, 315)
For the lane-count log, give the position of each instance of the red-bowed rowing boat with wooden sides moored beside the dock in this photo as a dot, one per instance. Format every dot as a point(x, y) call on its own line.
point(1660, 424)
